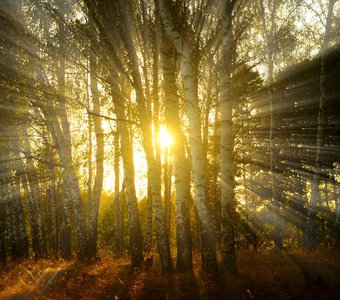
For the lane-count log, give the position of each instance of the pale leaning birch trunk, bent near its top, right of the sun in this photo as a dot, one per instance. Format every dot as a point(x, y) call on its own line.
point(207, 239)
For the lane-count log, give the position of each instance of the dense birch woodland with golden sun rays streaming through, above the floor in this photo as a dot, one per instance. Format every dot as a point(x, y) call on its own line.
point(178, 131)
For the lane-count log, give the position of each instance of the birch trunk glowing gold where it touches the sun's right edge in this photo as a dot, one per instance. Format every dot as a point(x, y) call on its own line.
point(181, 166)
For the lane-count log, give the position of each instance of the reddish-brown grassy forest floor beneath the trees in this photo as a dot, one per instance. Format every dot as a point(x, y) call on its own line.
point(260, 276)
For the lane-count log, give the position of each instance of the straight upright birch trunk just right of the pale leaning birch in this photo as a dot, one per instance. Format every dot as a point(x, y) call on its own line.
point(228, 263)
